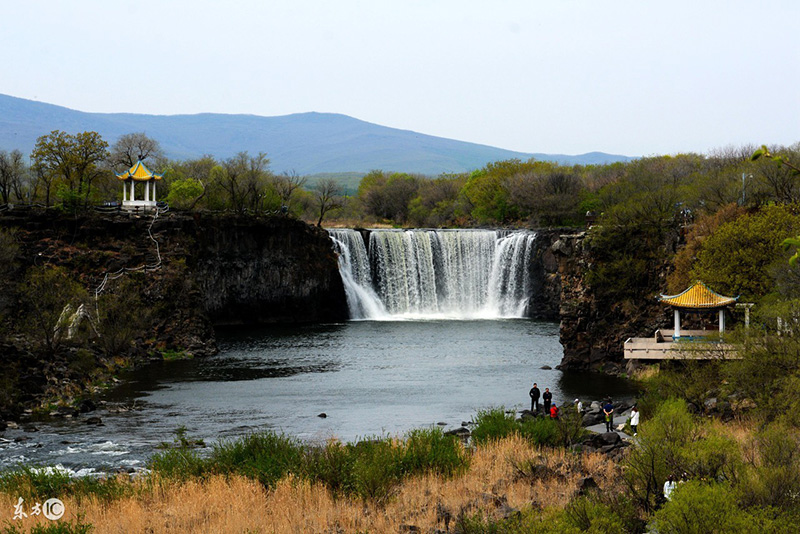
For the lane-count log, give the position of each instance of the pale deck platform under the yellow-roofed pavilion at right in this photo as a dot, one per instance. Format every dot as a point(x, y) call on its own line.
point(693, 344)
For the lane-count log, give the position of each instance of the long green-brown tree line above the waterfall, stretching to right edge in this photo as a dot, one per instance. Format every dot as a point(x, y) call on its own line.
point(539, 193)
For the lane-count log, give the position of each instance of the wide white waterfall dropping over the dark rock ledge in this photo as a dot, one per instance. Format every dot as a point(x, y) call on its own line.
point(425, 274)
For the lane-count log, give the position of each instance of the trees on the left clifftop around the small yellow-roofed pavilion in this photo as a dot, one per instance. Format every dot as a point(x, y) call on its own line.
point(76, 171)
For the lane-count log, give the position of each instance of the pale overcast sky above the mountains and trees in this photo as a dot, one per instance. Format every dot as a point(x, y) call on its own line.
point(557, 76)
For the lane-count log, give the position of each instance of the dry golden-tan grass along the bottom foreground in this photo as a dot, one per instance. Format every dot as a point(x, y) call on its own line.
point(503, 476)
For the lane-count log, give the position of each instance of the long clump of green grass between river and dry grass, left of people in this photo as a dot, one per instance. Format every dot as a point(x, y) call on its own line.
point(368, 469)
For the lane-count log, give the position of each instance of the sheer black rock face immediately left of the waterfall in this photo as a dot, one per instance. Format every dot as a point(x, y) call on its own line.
point(262, 271)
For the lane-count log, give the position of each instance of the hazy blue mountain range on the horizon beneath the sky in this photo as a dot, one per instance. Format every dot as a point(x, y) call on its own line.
point(306, 143)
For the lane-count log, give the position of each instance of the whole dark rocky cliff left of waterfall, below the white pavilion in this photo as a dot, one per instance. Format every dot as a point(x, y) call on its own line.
point(163, 298)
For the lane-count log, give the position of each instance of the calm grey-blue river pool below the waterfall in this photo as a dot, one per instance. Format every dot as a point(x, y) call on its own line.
point(370, 378)
